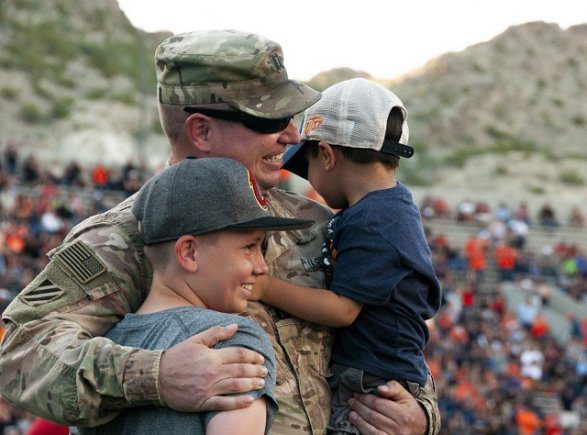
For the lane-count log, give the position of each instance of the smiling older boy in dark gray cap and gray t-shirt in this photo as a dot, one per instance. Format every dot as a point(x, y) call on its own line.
point(203, 223)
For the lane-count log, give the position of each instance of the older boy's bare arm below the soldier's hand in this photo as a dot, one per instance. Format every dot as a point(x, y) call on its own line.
point(246, 421)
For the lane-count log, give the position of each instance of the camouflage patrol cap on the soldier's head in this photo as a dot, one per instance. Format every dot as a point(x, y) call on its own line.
point(227, 66)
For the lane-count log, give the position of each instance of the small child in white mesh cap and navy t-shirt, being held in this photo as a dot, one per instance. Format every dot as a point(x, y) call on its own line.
point(382, 286)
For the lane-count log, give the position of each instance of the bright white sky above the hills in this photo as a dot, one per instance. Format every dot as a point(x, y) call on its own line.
point(386, 38)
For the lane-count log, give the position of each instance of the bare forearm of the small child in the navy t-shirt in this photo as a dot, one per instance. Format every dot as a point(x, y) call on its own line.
point(316, 305)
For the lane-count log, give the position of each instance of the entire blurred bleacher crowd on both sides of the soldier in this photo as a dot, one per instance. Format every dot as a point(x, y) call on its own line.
point(498, 369)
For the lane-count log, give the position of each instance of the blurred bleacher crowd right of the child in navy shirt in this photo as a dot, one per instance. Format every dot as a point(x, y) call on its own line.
point(499, 369)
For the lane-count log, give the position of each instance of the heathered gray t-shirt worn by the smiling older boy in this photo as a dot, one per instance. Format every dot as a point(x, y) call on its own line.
point(164, 329)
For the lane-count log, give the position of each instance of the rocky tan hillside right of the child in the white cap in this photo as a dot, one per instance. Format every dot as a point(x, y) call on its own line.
point(507, 117)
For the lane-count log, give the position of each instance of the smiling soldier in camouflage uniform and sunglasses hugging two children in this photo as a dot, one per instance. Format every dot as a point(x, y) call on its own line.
point(221, 94)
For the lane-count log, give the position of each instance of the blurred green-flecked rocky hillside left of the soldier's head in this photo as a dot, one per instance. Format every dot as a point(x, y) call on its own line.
point(76, 80)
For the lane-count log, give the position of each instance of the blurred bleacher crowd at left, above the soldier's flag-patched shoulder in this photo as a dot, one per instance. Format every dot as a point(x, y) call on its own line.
point(39, 204)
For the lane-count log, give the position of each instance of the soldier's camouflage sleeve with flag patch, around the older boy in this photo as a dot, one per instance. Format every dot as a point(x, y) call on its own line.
point(53, 360)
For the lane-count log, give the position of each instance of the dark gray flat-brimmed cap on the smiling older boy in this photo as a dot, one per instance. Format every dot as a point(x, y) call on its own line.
point(198, 196)
